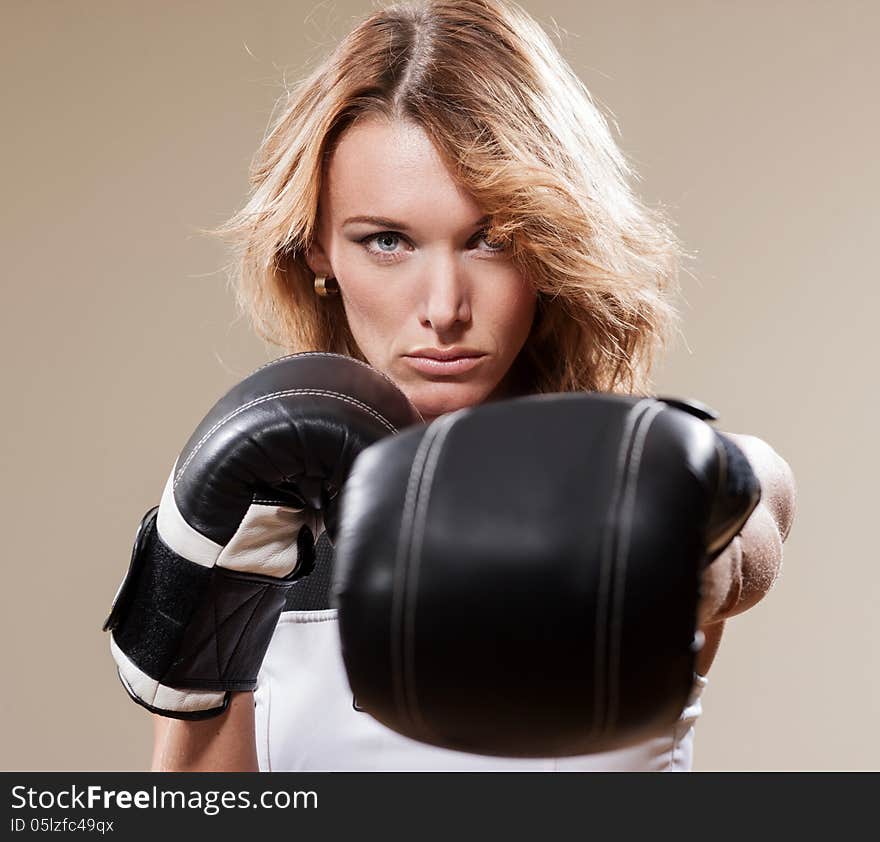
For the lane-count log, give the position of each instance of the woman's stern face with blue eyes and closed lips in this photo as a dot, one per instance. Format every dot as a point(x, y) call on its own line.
point(430, 302)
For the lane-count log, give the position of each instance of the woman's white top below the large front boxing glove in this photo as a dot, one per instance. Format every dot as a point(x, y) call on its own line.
point(306, 719)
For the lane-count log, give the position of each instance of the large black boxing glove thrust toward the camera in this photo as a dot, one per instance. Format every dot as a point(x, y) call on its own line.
point(521, 578)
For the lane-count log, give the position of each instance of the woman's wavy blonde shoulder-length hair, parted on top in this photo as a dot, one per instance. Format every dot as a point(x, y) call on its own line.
point(520, 132)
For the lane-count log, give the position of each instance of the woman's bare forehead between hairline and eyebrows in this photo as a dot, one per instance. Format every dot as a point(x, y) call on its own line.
point(393, 170)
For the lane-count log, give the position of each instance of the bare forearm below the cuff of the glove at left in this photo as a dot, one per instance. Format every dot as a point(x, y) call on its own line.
point(225, 743)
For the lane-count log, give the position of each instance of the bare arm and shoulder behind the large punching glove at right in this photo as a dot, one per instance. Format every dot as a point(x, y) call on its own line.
point(742, 575)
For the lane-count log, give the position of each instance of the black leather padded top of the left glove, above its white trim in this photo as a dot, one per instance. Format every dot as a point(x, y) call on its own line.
point(294, 427)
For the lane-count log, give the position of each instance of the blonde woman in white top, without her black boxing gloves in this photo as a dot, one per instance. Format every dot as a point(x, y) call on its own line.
point(441, 199)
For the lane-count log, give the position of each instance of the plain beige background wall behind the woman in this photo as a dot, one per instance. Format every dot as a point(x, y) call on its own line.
point(129, 125)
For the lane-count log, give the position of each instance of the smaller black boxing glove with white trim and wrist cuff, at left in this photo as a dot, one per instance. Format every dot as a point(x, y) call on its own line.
point(249, 494)
